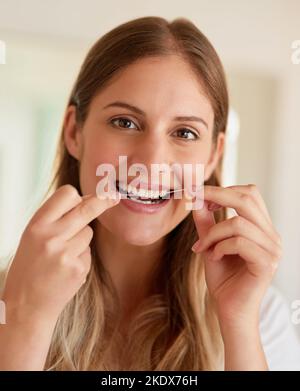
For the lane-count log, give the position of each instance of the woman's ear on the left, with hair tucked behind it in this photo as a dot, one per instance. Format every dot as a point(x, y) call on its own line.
point(72, 133)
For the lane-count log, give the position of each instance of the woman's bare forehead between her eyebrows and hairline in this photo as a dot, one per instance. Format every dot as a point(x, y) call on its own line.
point(159, 85)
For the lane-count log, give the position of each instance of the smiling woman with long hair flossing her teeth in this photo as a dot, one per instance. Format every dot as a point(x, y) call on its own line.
point(98, 283)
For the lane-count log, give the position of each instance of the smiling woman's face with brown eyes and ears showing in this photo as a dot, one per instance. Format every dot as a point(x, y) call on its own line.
point(162, 88)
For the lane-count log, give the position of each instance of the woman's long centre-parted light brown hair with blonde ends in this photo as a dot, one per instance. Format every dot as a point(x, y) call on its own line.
point(176, 328)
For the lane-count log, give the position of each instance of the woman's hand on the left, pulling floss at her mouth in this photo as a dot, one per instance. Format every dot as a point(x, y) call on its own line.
point(53, 257)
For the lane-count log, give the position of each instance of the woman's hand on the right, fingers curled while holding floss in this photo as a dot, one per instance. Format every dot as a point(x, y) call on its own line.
point(241, 253)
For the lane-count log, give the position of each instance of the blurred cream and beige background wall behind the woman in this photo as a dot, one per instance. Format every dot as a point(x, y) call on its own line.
point(45, 44)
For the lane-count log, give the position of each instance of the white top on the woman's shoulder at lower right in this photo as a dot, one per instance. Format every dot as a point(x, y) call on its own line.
point(280, 340)
